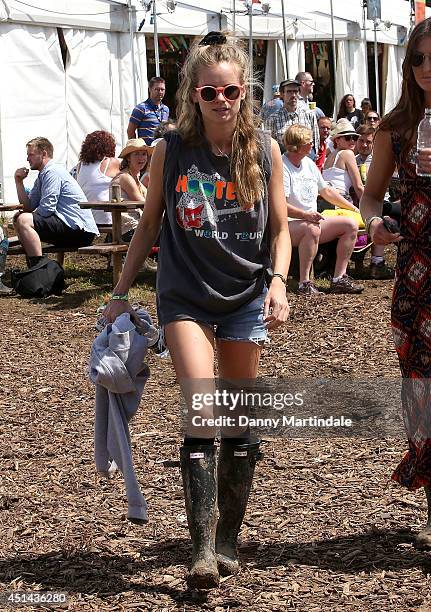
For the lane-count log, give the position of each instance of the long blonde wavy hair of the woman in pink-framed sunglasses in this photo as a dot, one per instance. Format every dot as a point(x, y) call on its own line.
point(245, 165)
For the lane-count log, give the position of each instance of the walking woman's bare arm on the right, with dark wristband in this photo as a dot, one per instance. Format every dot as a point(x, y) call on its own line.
point(276, 308)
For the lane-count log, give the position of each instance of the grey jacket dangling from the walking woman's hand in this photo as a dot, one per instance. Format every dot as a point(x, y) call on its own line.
point(118, 370)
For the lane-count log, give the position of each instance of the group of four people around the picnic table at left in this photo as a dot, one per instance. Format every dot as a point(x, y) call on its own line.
point(51, 209)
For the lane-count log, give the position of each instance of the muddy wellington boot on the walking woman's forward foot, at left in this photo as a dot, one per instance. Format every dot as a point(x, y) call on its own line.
point(198, 468)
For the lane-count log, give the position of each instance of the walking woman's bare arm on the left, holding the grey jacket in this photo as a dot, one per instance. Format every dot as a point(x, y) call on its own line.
point(144, 236)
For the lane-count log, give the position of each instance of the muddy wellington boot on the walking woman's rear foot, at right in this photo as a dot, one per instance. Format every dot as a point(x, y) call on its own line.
point(235, 474)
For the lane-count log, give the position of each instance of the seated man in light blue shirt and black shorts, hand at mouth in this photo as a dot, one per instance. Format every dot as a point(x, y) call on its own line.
point(51, 209)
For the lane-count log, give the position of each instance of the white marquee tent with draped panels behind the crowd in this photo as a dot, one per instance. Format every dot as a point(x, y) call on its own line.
point(67, 65)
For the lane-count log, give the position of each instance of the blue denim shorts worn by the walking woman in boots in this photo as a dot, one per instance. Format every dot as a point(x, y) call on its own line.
point(245, 324)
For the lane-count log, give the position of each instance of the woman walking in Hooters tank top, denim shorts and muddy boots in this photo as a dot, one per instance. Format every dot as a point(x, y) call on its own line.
point(216, 191)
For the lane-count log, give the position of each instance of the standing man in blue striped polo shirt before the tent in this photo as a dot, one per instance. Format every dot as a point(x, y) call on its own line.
point(148, 115)
